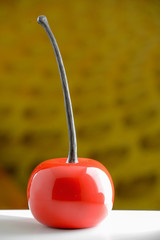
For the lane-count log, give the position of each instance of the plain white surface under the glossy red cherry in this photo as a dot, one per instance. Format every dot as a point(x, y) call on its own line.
point(120, 225)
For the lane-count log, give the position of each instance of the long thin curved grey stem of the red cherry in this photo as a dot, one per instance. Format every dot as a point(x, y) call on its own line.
point(72, 156)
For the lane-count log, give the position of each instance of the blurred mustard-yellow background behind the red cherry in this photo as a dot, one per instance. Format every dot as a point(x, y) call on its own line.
point(111, 52)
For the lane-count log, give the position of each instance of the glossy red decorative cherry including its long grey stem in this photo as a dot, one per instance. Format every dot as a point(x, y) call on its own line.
point(69, 192)
